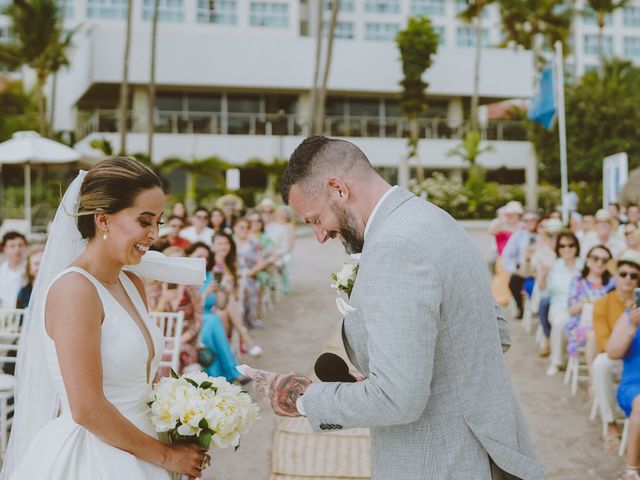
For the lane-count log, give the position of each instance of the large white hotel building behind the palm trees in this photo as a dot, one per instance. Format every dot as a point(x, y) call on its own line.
point(233, 77)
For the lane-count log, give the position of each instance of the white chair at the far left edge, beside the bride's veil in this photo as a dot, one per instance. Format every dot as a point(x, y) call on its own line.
point(11, 322)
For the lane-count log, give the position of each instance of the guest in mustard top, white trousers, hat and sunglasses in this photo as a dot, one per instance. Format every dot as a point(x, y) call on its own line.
point(606, 313)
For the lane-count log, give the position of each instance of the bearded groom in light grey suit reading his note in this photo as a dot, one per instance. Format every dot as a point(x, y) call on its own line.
point(436, 394)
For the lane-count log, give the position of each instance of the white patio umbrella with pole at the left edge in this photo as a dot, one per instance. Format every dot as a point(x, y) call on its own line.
point(30, 148)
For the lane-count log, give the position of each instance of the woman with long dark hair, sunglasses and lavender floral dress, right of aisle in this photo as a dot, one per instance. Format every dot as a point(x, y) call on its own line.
point(594, 282)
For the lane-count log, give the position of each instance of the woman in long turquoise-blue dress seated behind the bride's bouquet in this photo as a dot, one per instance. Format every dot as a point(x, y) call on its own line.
point(212, 334)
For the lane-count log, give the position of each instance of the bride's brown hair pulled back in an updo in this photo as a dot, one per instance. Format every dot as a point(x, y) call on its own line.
point(110, 186)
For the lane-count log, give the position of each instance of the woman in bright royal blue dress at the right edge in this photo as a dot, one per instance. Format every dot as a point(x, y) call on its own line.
point(624, 343)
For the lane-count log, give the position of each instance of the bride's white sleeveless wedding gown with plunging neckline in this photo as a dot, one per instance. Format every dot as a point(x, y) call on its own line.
point(64, 450)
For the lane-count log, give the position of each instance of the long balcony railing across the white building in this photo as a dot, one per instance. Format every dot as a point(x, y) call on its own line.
point(287, 124)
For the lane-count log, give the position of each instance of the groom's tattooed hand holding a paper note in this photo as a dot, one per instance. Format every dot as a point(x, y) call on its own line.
point(281, 391)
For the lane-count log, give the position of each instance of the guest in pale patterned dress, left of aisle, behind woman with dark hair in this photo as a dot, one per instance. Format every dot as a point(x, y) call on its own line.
point(251, 262)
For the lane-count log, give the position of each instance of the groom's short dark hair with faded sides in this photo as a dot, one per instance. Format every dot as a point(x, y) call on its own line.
point(328, 156)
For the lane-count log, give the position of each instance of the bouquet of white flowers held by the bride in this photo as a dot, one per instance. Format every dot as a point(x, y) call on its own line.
point(199, 409)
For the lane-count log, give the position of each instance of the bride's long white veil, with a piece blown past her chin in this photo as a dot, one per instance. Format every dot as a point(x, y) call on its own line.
point(36, 402)
